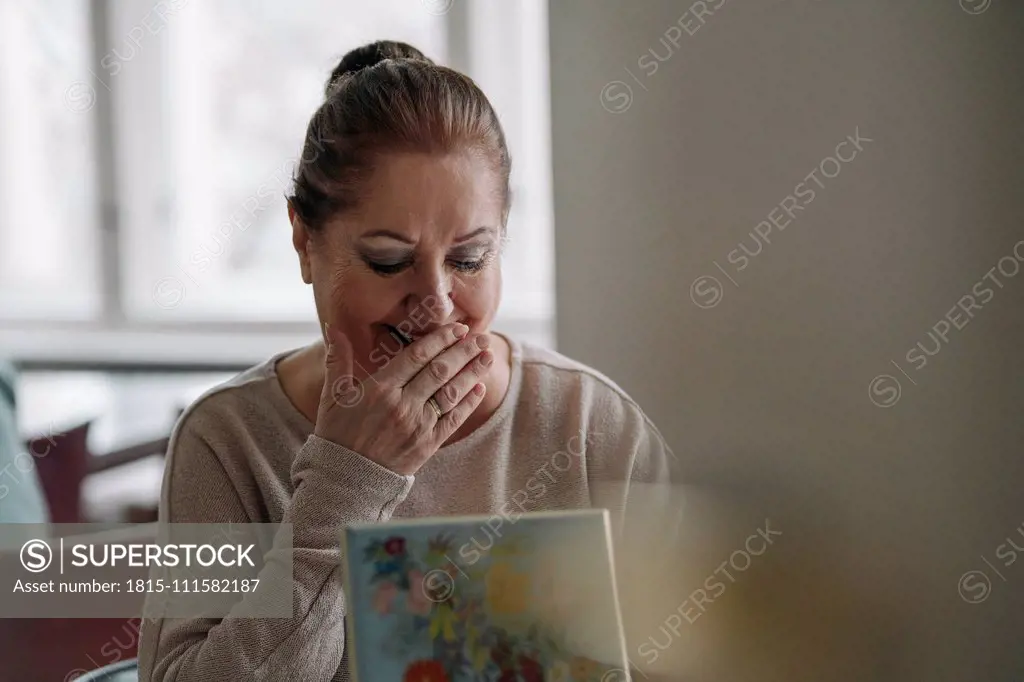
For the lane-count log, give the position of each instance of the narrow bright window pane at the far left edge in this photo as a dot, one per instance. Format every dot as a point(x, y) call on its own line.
point(49, 211)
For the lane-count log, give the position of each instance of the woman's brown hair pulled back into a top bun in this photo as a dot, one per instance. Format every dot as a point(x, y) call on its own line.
point(387, 98)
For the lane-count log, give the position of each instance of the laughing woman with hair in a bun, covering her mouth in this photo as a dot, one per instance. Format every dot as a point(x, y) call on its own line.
point(410, 405)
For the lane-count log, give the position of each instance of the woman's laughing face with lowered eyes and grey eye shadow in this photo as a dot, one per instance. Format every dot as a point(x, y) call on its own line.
point(420, 251)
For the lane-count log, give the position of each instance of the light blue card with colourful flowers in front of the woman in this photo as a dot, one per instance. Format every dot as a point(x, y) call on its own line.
point(468, 600)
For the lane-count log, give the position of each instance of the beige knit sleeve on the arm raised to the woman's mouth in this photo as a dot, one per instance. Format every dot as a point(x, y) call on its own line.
point(333, 487)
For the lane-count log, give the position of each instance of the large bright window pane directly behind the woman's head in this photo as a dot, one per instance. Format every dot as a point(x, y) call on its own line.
point(239, 83)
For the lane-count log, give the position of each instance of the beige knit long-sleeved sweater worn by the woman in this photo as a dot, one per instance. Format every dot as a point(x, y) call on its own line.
point(566, 437)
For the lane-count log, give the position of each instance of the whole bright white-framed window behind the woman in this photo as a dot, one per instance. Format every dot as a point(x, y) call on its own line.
point(147, 148)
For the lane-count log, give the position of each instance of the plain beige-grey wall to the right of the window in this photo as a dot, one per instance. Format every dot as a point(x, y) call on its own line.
point(762, 381)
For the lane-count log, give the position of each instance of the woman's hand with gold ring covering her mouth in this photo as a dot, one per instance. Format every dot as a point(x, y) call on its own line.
point(388, 417)
